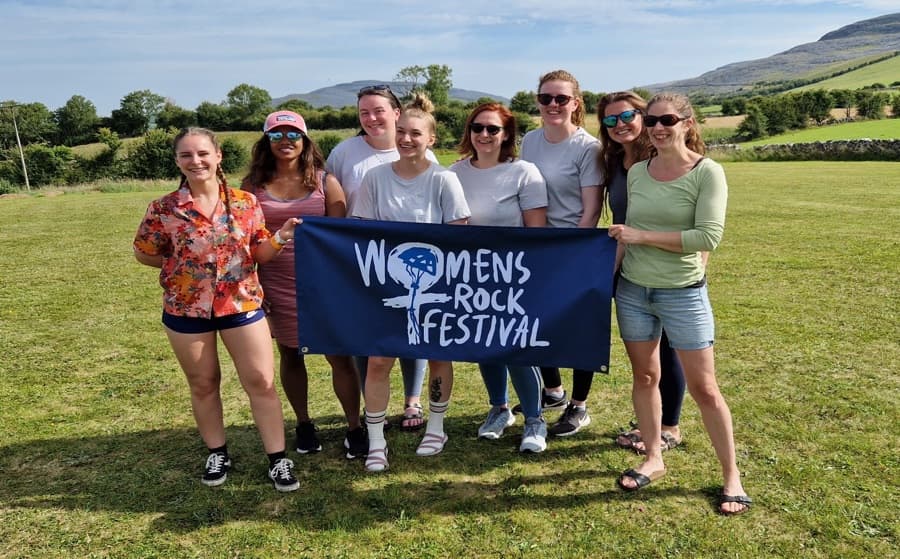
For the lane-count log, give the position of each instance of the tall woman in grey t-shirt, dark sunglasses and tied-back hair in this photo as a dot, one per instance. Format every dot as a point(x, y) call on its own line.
point(567, 158)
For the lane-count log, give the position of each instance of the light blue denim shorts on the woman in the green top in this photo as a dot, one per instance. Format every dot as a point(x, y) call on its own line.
point(684, 312)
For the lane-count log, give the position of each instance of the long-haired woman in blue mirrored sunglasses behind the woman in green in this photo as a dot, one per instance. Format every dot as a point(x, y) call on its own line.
point(624, 142)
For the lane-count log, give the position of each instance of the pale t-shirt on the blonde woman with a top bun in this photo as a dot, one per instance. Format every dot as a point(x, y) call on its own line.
point(434, 196)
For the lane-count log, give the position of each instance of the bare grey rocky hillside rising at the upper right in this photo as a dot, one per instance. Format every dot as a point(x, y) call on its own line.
point(868, 38)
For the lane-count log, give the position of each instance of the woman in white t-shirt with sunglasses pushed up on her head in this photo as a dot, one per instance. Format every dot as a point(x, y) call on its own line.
point(379, 109)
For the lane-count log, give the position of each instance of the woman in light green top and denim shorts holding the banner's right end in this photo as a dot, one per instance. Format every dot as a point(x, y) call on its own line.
point(676, 211)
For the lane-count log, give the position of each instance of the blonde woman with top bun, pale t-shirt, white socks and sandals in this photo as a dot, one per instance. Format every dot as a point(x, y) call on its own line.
point(417, 190)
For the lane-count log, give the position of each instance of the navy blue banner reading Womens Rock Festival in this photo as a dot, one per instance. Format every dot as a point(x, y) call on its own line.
point(521, 296)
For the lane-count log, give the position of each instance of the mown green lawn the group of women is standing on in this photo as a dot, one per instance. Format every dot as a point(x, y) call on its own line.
point(99, 455)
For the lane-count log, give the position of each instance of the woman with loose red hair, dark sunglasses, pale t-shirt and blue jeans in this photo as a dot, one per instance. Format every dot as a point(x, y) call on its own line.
point(503, 191)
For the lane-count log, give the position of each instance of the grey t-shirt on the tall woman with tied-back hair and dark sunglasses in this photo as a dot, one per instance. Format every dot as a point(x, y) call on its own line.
point(567, 167)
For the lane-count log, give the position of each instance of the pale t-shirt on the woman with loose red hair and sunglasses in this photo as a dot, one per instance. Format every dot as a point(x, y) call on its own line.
point(499, 195)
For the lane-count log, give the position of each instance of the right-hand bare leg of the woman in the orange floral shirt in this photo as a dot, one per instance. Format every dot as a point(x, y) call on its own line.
point(250, 348)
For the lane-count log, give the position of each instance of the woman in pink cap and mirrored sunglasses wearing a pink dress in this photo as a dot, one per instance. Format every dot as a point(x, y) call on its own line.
point(287, 175)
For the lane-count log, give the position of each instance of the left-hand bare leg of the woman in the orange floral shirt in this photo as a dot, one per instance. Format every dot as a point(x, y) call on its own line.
point(196, 353)
